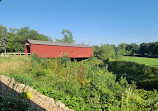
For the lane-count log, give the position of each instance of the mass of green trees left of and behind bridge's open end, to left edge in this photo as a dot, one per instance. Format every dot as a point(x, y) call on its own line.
point(16, 38)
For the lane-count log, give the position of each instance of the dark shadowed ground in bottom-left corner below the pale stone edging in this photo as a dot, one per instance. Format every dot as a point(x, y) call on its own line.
point(10, 100)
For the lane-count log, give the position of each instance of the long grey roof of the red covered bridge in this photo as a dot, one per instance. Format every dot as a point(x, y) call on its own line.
point(56, 43)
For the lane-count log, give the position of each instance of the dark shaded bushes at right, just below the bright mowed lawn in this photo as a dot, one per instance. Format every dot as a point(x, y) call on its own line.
point(145, 76)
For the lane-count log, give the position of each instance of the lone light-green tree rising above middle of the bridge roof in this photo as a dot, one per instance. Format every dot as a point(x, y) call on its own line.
point(67, 37)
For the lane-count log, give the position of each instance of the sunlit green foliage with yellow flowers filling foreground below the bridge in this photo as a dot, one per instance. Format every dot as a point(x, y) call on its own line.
point(85, 86)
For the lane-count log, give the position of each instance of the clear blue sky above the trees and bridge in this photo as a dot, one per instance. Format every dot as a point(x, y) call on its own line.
point(92, 22)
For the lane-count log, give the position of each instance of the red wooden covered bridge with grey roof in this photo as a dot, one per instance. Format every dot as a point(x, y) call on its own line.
point(54, 49)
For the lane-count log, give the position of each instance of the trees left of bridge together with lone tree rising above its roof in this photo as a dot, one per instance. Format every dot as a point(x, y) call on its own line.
point(12, 39)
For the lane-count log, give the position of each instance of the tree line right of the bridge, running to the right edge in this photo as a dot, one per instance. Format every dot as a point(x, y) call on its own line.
point(106, 51)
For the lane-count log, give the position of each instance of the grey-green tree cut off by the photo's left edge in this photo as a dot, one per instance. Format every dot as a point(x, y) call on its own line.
point(3, 38)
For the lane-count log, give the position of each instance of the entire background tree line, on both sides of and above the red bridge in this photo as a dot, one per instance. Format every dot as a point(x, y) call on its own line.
point(12, 40)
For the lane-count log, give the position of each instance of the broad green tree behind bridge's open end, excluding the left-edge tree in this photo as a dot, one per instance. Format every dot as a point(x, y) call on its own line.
point(17, 38)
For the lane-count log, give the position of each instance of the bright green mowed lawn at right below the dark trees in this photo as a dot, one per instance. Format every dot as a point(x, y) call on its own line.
point(142, 60)
